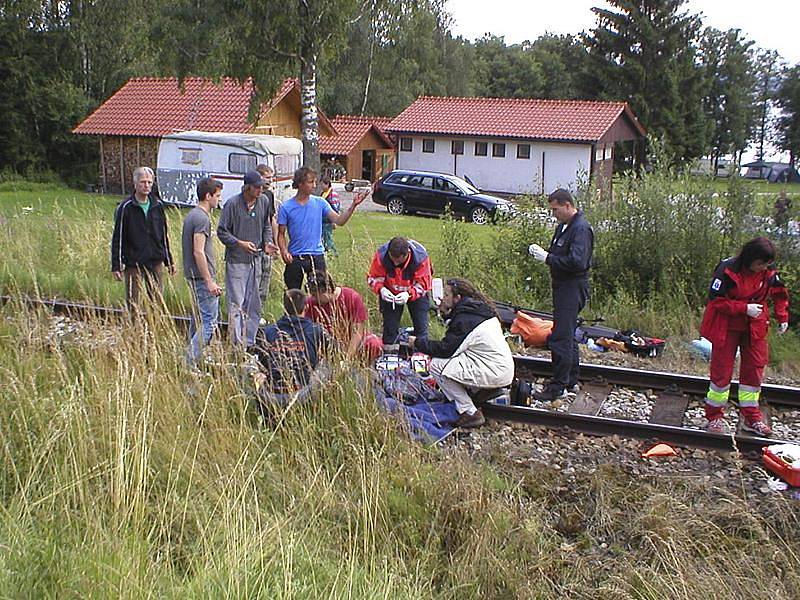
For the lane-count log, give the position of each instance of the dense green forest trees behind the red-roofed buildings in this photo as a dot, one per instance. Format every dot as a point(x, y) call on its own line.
point(701, 91)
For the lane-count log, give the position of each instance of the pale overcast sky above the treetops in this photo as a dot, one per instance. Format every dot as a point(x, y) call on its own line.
point(771, 24)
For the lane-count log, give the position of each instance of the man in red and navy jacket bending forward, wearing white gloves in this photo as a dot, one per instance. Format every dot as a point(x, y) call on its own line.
point(400, 274)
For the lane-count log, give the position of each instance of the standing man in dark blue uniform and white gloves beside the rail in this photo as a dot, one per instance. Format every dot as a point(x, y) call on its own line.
point(569, 258)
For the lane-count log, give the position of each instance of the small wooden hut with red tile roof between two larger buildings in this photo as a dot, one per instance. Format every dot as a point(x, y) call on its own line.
point(362, 149)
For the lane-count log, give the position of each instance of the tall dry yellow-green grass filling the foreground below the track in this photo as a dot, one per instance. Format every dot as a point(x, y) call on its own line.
point(124, 475)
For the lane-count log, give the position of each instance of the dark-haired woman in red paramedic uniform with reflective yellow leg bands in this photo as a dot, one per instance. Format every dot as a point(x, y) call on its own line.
point(737, 318)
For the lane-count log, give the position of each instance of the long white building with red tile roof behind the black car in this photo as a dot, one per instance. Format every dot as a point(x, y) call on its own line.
point(514, 145)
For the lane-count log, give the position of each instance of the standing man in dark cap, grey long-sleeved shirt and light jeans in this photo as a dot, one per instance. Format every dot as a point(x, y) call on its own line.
point(245, 230)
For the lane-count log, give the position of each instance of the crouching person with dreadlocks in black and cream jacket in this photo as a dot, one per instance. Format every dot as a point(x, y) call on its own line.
point(473, 355)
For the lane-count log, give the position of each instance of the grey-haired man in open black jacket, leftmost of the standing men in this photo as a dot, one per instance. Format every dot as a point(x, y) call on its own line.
point(139, 244)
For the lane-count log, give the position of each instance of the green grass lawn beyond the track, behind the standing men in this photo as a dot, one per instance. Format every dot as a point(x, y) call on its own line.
point(56, 244)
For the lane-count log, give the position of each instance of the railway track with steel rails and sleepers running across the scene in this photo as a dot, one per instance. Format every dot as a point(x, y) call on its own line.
point(673, 393)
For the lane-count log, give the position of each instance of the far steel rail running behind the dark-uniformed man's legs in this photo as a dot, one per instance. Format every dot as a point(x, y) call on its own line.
point(693, 385)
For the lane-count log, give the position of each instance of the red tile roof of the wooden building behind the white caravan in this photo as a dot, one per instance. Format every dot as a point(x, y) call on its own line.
point(155, 106)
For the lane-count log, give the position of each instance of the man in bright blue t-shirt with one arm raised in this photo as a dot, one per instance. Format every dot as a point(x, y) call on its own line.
point(302, 216)
